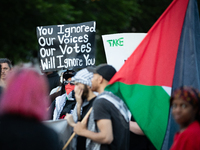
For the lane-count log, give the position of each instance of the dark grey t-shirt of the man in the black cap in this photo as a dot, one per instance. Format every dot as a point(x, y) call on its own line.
point(104, 109)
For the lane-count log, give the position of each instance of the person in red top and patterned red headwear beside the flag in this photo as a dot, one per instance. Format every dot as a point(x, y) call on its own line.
point(185, 103)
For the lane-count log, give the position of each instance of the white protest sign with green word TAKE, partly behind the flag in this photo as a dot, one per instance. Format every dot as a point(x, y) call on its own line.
point(118, 47)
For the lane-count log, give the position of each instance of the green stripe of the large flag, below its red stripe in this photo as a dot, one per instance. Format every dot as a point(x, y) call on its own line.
point(149, 105)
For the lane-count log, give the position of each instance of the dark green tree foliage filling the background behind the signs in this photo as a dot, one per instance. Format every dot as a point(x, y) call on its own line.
point(19, 19)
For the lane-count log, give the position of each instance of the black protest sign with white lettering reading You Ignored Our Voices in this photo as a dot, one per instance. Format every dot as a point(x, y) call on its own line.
point(66, 46)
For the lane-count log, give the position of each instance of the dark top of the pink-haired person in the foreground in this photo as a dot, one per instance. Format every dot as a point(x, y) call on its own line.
point(22, 133)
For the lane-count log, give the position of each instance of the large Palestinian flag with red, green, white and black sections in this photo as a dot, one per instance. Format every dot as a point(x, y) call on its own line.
point(145, 81)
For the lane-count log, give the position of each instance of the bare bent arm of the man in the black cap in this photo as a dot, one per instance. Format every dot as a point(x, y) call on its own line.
point(104, 136)
